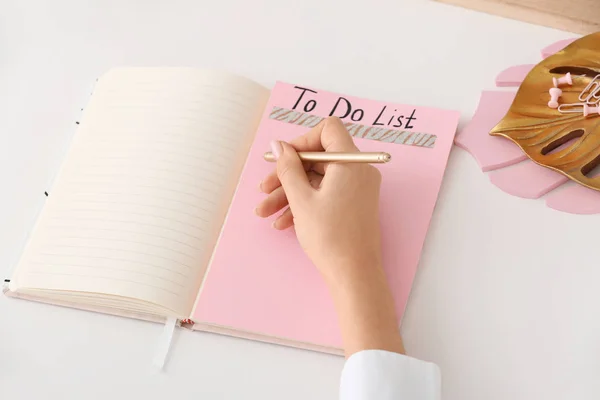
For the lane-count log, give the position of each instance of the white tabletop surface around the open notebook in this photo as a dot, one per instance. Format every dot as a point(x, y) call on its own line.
point(506, 300)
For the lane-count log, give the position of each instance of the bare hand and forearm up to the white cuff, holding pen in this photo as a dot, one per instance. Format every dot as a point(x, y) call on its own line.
point(335, 211)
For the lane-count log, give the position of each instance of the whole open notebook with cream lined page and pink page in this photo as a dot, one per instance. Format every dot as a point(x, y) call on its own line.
point(151, 215)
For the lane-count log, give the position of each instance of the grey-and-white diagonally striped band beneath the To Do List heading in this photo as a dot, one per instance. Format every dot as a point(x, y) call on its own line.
point(386, 135)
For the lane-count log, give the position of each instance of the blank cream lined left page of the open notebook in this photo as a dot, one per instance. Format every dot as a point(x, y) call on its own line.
point(140, 200)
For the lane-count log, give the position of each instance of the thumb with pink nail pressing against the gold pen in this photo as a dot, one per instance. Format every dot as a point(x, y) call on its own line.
point(290, 171)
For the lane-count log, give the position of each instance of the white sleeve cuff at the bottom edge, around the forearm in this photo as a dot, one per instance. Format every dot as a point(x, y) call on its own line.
point(383, 375)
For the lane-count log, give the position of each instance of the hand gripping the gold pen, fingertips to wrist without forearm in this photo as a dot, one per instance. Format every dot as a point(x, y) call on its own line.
point(335, 208)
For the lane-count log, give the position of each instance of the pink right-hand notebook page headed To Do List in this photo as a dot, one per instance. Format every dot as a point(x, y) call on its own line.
point(260, 281)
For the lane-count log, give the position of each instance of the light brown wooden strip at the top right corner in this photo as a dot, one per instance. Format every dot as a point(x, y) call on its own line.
point(527, 15)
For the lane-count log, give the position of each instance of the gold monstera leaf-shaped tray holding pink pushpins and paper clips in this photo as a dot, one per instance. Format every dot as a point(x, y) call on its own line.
point(540, 130)
